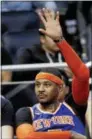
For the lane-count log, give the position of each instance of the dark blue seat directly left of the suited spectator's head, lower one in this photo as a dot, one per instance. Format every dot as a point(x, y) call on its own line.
point(13, 41)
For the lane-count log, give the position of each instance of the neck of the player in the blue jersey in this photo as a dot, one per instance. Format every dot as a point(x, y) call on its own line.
point(50, 107)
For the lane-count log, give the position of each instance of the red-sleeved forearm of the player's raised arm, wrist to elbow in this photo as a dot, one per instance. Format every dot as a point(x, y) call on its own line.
point(78, 68)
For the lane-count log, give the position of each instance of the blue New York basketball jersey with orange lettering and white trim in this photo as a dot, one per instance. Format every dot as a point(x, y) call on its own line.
point(62, 119)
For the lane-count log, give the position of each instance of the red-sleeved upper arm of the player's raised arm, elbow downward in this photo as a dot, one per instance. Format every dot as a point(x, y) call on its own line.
point(80, 85)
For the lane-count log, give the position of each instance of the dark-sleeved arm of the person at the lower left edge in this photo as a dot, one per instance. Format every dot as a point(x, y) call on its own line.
point(7, 119)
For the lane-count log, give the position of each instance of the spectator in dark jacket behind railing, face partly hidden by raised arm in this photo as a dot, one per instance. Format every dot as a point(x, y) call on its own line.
point(46, 52)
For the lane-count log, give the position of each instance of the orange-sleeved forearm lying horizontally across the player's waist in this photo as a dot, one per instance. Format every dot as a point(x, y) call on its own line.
point(25, 131)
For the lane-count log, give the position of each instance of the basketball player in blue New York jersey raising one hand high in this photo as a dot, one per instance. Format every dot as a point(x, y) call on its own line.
point(49, 114)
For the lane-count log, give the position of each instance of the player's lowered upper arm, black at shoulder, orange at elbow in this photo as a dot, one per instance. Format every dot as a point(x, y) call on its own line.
point(23, 123)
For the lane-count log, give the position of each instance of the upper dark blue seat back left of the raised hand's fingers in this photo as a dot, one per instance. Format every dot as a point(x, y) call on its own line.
point(19, 20)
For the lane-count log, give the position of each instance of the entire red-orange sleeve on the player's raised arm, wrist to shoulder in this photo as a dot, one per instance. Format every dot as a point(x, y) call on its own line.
point(80, 84)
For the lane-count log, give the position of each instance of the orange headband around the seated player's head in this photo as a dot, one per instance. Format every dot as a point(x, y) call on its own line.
point(49, 76)
